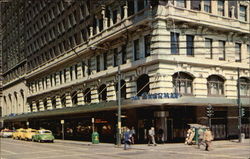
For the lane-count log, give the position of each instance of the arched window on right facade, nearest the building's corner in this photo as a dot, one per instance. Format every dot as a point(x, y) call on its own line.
point(183, 83)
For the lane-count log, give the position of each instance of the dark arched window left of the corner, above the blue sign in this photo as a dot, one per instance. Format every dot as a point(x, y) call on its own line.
point(142, 84)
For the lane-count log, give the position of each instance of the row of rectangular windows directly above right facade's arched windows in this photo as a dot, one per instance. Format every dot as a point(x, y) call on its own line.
point(209, 47)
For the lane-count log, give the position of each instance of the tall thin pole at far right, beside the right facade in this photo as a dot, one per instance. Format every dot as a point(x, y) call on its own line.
point(239, 103)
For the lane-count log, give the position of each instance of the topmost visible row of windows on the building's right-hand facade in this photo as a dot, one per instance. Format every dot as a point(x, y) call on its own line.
point(207, 5)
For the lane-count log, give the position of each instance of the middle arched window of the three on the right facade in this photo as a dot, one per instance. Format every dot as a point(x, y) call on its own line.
point(215, 85)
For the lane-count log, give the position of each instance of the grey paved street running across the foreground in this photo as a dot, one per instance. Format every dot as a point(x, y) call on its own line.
point(13, 149)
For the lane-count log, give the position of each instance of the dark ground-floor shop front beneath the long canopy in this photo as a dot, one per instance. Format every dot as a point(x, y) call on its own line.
point(171, 123)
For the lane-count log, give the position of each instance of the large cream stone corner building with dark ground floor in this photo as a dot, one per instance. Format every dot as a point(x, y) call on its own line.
point(61, 61)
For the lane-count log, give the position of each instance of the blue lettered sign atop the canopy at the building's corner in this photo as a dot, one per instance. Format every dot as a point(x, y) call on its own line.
point(157, 96)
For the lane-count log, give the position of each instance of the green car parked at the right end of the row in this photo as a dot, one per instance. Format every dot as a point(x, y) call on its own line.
point(43, 135)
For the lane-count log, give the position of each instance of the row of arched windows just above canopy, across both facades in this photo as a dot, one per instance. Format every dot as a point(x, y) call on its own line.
point(182, 82)
